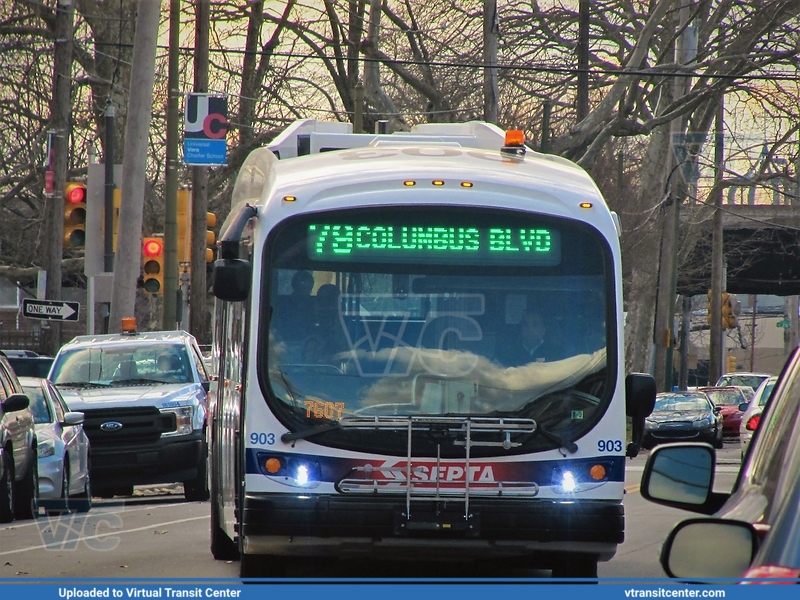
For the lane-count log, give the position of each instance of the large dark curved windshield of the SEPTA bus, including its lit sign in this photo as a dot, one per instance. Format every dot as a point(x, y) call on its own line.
point(437, 312)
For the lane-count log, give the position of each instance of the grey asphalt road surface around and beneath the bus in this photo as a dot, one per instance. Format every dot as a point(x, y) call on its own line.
point(156, 534)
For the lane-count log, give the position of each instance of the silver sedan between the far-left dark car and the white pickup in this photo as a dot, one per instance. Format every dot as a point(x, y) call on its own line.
point(63, 447)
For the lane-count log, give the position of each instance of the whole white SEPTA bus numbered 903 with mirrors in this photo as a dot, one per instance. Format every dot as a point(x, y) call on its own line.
point(420, 354)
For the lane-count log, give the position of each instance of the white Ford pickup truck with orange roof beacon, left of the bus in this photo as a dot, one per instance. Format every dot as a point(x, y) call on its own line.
point(145, 401)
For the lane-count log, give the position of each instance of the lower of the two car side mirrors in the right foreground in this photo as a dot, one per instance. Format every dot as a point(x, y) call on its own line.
point(692, 549)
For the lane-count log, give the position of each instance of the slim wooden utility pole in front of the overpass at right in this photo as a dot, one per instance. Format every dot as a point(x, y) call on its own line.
point(716, 350)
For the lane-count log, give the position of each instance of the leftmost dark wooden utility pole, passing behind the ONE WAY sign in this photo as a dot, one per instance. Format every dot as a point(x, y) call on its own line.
point(61, 118)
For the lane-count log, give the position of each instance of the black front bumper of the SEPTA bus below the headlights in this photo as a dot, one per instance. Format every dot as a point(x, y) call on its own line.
point(338, 526)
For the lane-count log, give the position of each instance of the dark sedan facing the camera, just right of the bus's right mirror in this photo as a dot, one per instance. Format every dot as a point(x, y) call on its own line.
point(683, 416)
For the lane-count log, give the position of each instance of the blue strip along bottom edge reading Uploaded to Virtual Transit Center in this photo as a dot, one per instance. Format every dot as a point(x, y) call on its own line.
point(391, 589)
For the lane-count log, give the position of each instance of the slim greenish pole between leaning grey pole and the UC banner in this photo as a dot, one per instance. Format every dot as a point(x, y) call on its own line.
point(170, 315)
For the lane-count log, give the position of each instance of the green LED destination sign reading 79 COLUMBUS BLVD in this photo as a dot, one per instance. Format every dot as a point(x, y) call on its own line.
point(400, 243)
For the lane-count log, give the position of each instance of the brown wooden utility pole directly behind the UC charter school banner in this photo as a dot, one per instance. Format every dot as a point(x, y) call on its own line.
point(198, 309)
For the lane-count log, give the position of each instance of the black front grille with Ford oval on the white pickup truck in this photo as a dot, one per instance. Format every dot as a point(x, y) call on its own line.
point(140, 425)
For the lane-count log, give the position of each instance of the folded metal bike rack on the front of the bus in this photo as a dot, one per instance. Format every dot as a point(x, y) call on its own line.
point(401, 479)
